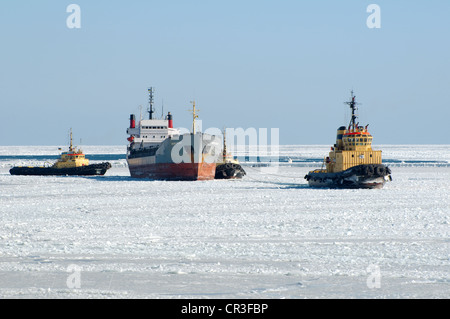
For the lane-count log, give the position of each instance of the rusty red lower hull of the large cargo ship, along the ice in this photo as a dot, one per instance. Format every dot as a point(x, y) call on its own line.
point(172, 171)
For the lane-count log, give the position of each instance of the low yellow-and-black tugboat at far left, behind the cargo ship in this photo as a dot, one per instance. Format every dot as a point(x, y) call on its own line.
point(72, 162)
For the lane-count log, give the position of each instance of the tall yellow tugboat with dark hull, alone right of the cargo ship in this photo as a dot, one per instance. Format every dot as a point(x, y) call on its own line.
point(352, 163)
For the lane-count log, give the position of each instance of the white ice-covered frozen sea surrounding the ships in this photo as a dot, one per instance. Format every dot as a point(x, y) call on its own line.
point(266, 236)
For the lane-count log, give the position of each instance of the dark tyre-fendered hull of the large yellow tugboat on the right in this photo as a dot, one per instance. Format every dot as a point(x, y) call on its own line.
point(368, 176)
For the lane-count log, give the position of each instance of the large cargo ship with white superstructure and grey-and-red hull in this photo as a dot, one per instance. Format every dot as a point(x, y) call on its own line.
point(158, 151)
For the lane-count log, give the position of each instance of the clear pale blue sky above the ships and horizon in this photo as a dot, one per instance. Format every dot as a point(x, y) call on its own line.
point(262, 64)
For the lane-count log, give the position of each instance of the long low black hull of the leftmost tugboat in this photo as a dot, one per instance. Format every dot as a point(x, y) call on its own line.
point(88, 170)
